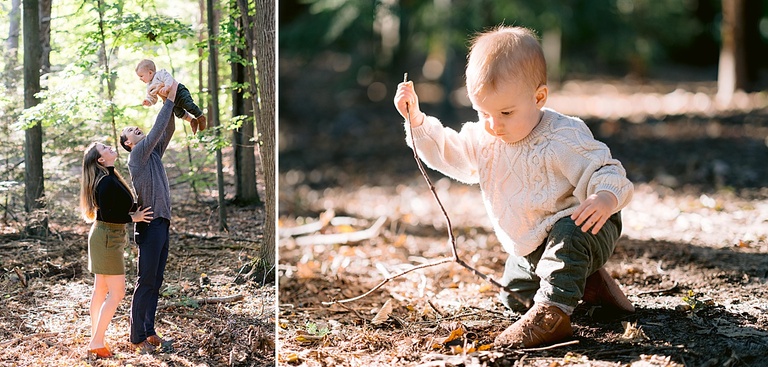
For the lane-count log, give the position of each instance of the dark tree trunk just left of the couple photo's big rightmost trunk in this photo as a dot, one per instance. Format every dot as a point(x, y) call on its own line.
point(246, 192)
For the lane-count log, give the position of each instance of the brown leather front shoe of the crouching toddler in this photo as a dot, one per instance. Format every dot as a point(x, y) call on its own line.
point(541, 325)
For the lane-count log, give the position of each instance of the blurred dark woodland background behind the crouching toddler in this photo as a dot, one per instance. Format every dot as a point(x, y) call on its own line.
point(340, 61)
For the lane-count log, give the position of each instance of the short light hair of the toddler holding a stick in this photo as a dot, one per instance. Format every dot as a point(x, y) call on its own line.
point(505, 54)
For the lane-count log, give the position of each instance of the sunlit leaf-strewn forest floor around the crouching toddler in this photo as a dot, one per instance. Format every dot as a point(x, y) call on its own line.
point(693, 257)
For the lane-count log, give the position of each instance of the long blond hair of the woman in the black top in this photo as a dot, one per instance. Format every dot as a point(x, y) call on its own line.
point(93, 172)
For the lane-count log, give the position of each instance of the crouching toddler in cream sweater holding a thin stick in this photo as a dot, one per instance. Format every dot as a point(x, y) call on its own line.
point(553, 192)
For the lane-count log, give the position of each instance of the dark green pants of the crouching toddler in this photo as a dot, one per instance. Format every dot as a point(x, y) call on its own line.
point(556, 271)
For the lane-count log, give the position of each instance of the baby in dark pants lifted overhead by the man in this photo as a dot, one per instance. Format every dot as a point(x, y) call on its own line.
point(159, 82)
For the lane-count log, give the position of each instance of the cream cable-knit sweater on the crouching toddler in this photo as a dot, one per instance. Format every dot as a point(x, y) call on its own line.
point(528, 185)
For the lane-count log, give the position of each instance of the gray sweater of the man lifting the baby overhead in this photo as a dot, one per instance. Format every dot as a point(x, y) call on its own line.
point(146, 166)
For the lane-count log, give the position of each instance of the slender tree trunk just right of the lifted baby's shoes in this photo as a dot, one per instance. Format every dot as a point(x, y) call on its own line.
point(213, 87)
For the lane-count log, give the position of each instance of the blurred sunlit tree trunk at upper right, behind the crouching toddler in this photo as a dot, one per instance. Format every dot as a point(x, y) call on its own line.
point(732, 69)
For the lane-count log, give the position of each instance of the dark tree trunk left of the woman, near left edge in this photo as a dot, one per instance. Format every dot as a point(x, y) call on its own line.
point(34, 188)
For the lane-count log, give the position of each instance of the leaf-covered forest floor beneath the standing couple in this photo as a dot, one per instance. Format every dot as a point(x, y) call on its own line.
point(44, 320)
